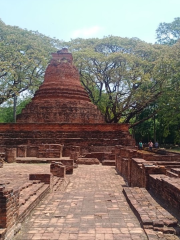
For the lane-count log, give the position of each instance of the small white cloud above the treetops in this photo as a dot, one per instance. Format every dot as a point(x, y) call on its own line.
point(86, 32)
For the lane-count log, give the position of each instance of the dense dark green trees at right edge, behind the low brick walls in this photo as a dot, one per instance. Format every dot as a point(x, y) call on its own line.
point(167, 119)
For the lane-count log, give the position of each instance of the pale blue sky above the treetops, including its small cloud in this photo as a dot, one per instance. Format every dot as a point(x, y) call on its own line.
point(67, 19)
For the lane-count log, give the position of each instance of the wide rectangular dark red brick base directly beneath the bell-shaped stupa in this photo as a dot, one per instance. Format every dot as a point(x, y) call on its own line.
point(83, 135)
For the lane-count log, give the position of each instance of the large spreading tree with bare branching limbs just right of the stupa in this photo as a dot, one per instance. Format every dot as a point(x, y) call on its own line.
point(130, 72)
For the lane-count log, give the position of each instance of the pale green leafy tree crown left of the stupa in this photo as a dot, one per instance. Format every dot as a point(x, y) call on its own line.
point(23, 58)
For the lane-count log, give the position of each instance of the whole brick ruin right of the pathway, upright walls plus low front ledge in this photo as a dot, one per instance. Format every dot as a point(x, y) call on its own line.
point(149, 174)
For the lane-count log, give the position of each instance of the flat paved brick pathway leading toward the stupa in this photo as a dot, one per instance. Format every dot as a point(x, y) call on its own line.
point(92, 207)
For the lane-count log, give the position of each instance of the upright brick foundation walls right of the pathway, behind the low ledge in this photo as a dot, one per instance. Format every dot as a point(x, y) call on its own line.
point(158, 175)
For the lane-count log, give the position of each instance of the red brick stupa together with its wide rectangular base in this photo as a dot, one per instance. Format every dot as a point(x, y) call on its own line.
point(62, 113)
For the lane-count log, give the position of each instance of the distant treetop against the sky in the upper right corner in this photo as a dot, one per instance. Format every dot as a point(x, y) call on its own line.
point(168, 33)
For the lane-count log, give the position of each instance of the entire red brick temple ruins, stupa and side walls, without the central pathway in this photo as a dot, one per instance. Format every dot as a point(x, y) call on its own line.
point(61, 129)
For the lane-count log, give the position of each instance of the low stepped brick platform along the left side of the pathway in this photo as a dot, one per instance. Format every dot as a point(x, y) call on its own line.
point(21, 191)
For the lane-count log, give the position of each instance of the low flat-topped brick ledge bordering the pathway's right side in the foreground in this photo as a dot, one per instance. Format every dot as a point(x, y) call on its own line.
point(150, 213)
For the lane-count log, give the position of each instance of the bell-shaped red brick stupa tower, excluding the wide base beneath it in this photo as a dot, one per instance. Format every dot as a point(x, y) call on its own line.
point(61, 98)
